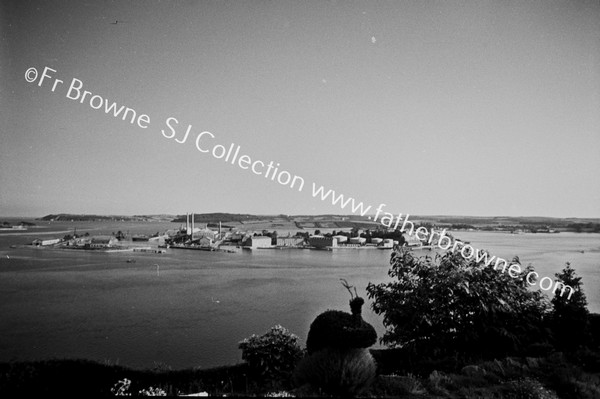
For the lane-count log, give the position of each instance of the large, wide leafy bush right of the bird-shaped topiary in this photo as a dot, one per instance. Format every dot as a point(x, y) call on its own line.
point(449, 305)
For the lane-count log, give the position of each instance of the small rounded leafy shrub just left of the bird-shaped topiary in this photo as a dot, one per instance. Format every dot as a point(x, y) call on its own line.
point(273, 355)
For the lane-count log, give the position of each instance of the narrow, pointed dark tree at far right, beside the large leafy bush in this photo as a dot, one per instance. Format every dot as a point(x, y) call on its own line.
point(570, 318)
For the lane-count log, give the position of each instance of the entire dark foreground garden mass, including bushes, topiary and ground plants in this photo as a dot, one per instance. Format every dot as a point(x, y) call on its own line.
point(454, 329)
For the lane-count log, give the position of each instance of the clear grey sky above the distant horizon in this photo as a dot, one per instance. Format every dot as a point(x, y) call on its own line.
point(481, 108)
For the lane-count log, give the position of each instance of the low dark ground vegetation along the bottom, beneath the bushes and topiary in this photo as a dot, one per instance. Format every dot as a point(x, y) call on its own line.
point(551, 376)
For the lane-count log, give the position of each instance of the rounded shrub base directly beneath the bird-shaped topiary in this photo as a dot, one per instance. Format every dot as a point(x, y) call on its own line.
point(337, 372)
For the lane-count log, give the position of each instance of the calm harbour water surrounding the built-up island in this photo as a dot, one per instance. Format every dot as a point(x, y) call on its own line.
point(193, 309)
